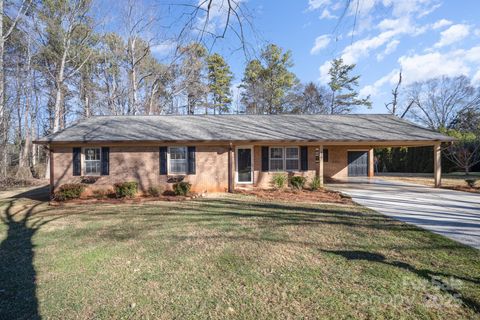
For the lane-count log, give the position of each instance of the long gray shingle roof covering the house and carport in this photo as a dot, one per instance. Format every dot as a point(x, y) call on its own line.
point(360, 127)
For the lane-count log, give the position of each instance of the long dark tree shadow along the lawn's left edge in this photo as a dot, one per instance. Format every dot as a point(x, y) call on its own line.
point(18, 298)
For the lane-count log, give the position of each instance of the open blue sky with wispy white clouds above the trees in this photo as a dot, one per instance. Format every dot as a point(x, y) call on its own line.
point(425, 38)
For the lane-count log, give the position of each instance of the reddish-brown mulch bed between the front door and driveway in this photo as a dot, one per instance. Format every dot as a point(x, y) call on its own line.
point(288, 195)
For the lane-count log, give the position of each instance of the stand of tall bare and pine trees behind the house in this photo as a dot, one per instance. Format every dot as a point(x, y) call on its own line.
point(60, 64)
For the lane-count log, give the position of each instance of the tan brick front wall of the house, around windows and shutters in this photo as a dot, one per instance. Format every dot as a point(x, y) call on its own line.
point(141, 163)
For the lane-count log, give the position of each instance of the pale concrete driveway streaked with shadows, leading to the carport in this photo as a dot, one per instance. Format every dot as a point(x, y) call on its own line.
point(454, 214)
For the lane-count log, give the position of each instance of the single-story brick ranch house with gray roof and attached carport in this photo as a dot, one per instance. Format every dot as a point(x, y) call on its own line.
point(219, 153)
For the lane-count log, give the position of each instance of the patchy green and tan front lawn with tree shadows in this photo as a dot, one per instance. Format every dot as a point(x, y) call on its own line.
point(233, 257)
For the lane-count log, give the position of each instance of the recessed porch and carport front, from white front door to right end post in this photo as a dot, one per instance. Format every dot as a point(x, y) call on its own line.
point(253, 166)
